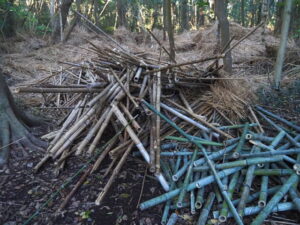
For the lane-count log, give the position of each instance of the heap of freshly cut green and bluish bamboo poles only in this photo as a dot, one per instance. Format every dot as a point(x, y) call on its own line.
point(253, 174)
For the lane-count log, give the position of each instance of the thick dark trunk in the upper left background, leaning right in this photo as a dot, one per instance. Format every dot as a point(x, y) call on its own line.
point(60, 19)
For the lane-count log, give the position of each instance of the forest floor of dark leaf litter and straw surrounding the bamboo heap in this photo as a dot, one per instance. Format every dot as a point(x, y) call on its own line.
point(22, 192)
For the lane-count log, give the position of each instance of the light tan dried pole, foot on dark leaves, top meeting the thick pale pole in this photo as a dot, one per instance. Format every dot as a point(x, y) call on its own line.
point(102, 194)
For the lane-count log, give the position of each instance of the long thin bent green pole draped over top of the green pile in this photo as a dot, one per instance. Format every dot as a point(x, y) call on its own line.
point(209, 162)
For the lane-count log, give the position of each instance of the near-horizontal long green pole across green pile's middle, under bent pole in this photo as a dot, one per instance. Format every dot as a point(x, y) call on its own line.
point(245, 162)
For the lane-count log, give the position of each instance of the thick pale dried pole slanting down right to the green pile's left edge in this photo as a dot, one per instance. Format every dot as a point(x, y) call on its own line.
point(138, 144)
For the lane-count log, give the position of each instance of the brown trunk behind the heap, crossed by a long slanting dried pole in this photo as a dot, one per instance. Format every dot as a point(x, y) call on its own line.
point(220, 12)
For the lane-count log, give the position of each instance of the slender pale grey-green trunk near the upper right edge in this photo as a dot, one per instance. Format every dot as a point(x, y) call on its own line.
point(283, 42)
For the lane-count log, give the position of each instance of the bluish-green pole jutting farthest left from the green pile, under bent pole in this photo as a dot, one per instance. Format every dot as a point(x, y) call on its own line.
point(196, 184)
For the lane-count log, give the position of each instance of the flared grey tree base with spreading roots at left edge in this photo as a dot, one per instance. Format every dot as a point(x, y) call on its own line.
point(14, 126)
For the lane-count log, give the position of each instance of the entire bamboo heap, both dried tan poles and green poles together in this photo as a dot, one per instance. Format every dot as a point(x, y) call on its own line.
point(121, 101)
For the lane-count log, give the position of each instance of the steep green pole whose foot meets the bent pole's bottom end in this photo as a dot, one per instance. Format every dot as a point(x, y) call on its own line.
point(247, 185)
